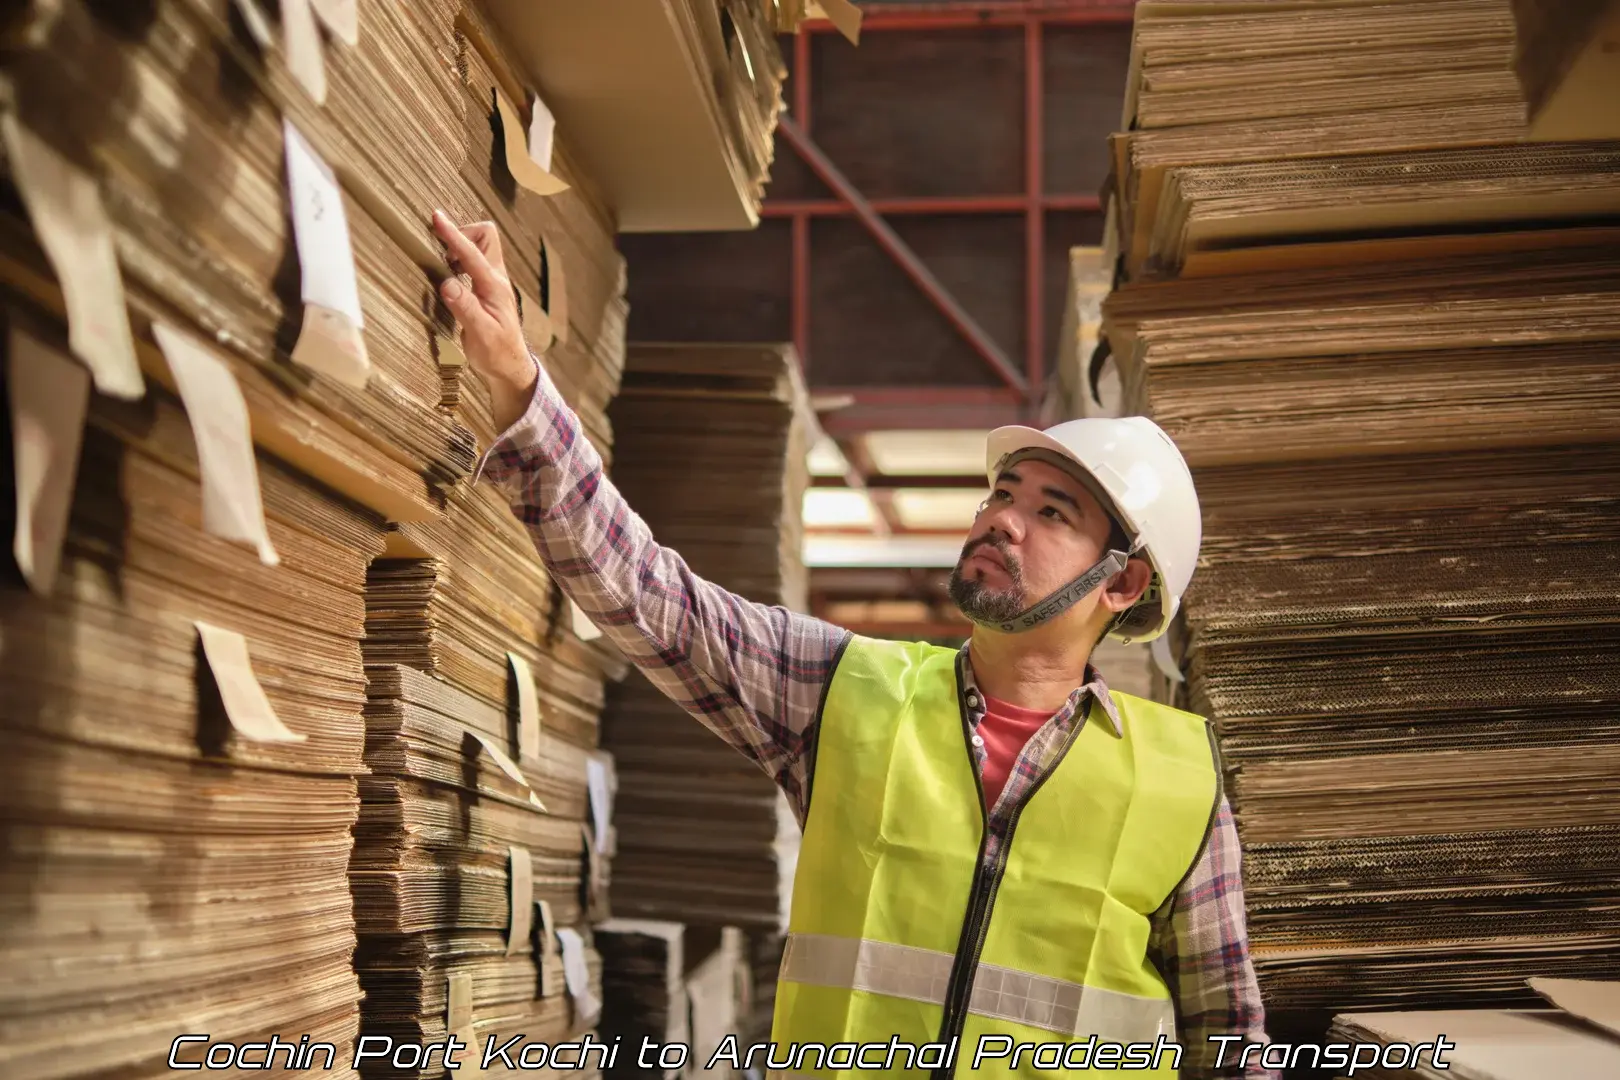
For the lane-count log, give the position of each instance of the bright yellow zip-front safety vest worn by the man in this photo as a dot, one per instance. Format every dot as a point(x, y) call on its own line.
point(903, 933)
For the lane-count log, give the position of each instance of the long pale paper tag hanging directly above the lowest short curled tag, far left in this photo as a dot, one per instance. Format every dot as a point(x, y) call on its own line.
point(232, 506)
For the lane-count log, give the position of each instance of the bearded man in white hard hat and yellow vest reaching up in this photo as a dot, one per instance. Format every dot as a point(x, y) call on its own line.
point(997, 851)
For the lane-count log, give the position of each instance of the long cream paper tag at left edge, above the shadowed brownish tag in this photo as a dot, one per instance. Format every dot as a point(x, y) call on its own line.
point(72, 224)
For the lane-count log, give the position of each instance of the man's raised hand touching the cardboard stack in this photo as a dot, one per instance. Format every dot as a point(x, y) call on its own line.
point(482, 300)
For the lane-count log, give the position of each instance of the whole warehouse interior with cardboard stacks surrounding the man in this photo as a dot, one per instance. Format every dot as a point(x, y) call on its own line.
point(304, 739)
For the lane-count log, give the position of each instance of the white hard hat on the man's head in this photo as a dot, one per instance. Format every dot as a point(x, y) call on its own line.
point(1146, 485)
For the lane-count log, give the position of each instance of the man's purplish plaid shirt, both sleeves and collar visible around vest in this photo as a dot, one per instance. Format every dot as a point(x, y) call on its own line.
point(754, 676)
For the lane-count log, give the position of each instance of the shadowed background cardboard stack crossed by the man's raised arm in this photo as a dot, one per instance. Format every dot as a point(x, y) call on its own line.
point(714, 456)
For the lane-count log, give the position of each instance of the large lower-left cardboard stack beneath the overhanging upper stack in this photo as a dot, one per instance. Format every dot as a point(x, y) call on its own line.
point(184, 729)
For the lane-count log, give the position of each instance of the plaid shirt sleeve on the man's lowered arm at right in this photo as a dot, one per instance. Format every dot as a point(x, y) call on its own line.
point(1203, 950)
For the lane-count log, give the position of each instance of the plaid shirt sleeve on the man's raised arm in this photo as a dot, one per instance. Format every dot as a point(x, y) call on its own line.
point(752, 674)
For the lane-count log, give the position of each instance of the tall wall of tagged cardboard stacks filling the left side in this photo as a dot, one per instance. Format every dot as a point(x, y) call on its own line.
point(226, 219)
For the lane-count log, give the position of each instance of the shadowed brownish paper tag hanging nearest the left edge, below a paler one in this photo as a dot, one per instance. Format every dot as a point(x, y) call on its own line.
point(49, 396)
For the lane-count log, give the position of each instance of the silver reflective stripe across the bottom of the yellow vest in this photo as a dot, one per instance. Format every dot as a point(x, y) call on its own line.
point(1000, 993)
